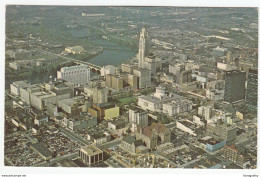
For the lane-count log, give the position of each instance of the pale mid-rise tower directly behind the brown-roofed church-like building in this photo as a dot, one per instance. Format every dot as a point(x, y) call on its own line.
point(137, 118)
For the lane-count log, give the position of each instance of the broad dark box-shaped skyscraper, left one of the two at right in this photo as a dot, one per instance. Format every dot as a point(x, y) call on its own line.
point(234, 86)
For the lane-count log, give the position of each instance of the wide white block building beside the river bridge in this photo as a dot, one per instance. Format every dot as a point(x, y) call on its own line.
point(75, 74)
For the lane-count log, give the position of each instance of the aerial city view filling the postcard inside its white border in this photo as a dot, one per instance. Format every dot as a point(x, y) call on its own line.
point(131, 87)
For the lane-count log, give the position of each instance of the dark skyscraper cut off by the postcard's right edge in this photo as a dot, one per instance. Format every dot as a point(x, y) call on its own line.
point(251, 92)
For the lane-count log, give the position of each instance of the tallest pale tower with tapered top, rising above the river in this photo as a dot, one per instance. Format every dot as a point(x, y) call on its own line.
point(143, 47)
